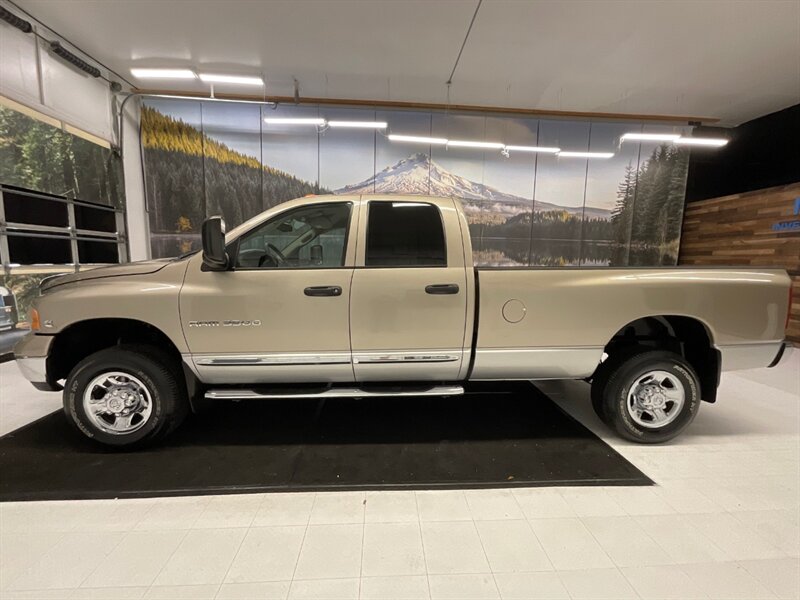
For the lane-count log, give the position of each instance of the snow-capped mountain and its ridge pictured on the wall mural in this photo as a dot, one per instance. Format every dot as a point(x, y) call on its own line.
point(420, 175)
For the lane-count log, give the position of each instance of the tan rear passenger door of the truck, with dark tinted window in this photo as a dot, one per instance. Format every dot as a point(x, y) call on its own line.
point(409, 293)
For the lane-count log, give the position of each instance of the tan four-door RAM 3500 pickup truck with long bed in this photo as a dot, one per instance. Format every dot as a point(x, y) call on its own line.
point(369, 296)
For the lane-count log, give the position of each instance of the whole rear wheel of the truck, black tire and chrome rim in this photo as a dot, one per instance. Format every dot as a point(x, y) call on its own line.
point(649, 396)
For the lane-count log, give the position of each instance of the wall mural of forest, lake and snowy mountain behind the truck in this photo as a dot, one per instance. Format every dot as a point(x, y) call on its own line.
point(207, 158)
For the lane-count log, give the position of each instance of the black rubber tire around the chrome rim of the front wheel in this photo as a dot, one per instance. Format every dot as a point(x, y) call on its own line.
point(157, 372)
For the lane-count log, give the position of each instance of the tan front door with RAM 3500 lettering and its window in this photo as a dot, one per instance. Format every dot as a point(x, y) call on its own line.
point(281, 313)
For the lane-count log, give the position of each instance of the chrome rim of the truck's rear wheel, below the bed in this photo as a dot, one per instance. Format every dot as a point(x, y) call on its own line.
point(655, 399)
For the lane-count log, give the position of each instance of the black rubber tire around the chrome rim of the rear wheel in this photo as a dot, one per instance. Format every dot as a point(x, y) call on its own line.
point(622, 374)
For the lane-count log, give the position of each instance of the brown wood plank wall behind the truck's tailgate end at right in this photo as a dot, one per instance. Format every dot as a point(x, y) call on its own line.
point(738, 230)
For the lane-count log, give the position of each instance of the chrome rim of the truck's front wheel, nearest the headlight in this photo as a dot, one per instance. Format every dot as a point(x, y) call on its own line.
point(117, 403)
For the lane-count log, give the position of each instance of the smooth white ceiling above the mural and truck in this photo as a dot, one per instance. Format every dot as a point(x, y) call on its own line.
point(726, 59)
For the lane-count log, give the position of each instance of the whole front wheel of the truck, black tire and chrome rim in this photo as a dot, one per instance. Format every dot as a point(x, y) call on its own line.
point(138, 391)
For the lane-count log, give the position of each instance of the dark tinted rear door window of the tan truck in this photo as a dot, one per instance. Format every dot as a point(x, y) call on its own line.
point(406, 234)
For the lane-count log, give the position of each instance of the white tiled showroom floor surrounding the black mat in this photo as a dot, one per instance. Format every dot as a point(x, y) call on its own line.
point(723, 522)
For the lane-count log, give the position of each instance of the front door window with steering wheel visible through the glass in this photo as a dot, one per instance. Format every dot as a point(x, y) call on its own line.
point(309, 237)
